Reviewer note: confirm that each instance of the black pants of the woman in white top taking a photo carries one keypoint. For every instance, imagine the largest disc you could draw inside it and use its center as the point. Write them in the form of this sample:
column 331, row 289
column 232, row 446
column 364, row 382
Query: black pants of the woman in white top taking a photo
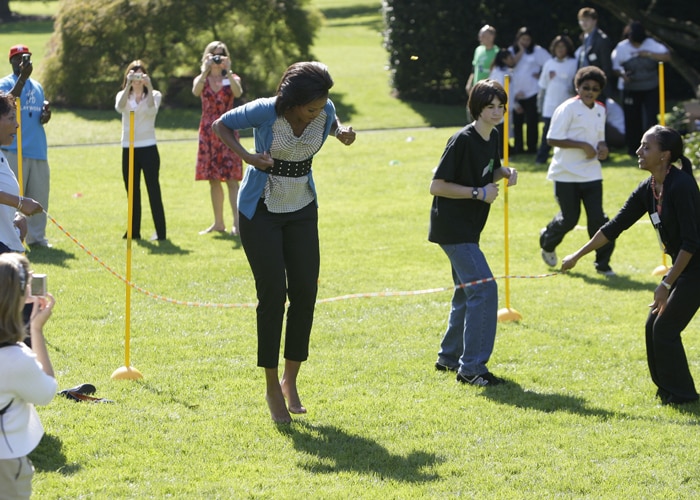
column 146, row 160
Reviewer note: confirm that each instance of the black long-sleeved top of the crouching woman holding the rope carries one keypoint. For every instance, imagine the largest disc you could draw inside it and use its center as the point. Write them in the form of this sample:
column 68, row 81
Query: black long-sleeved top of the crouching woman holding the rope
column 680, row 214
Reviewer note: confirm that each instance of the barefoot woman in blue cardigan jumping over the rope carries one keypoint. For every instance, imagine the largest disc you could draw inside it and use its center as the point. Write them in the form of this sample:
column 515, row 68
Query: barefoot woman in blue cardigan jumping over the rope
column 279, row 217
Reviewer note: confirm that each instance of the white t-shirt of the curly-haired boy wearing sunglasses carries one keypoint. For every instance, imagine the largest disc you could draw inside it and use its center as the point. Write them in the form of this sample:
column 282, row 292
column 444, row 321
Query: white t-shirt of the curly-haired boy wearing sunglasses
column 575, row 121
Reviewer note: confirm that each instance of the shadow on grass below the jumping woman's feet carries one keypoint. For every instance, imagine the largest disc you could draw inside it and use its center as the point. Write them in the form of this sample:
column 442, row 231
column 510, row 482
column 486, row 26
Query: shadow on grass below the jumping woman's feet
column 337, row 451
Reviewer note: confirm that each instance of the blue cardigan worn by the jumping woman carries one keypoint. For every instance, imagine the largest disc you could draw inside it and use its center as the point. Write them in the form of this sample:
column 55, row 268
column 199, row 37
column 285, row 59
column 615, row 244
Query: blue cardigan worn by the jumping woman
column 260, row 115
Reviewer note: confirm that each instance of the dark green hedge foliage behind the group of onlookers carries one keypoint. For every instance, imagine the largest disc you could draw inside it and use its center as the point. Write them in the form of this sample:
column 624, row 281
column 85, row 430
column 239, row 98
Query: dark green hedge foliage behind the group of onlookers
column 431, row 44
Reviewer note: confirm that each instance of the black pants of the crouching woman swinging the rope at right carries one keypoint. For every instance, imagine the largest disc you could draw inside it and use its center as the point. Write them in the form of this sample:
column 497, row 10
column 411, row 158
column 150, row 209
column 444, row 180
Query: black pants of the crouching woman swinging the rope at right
column 665, row 354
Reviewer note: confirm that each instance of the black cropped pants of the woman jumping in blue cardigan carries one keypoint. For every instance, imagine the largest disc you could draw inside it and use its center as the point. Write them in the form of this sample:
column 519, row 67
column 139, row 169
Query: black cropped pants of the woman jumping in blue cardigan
column 283, row 253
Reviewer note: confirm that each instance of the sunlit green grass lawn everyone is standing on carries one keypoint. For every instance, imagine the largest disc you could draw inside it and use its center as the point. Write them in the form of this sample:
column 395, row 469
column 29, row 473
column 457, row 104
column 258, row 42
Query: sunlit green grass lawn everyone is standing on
column 578, row 418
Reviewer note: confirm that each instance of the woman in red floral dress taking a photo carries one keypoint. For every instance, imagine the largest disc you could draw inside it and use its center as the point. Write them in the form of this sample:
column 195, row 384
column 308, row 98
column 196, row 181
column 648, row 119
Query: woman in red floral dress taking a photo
column 217, row 86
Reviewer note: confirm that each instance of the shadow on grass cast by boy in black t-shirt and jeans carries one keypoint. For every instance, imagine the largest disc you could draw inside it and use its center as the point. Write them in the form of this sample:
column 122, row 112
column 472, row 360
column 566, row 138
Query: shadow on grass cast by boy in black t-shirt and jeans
column 514, row 395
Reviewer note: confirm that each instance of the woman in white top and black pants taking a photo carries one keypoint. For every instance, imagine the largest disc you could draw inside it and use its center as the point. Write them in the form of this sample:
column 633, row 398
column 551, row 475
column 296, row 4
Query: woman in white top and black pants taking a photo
column 138, row 95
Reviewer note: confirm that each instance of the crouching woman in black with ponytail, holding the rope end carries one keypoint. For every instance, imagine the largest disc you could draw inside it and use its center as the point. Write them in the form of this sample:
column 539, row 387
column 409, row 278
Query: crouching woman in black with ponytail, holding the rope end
column 671, row 198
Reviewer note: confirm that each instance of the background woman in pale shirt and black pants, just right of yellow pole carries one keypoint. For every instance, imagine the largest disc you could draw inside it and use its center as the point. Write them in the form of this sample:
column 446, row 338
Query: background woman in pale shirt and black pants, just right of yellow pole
column 529, row 59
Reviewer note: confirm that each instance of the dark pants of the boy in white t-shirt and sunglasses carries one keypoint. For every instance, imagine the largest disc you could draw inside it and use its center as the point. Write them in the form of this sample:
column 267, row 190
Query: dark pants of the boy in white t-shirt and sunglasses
column 569, row 195
